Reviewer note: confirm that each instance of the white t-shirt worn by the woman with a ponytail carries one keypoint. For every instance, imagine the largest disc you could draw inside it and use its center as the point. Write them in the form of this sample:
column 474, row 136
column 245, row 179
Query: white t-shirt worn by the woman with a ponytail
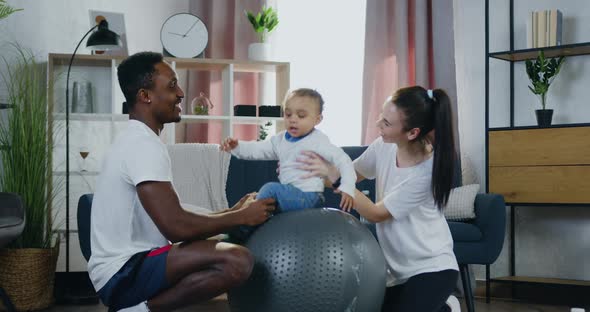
column 417, row 239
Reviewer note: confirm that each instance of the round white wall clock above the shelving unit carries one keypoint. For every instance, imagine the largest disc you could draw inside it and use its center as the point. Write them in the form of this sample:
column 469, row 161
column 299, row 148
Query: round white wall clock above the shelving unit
column 184, row 35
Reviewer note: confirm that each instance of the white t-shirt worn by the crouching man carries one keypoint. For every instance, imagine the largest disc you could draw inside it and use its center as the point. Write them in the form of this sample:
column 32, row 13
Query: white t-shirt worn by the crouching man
column 119, row 226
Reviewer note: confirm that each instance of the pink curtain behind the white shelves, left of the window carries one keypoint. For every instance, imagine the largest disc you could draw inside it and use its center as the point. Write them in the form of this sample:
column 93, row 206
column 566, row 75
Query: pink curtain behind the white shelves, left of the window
column 229, row 36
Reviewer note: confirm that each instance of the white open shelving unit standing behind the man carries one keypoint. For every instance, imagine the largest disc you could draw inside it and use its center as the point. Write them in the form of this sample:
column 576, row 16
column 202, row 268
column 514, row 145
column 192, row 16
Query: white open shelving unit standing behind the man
column 96, row 131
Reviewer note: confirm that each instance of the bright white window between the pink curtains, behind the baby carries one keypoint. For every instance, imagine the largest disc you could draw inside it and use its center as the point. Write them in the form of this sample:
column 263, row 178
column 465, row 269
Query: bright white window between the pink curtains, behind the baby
column 326, row 52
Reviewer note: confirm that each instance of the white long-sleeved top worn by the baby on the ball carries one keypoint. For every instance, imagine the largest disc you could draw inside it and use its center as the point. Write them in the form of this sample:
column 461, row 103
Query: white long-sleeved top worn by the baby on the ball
column 287, row 152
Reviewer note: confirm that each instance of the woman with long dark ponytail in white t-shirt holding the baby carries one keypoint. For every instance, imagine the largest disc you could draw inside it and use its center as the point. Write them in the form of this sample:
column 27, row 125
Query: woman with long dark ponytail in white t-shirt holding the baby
column 412, row 164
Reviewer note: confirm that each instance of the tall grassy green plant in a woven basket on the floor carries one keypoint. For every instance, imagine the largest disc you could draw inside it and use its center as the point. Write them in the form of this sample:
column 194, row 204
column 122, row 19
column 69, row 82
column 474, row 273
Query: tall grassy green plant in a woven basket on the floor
column 27, row 266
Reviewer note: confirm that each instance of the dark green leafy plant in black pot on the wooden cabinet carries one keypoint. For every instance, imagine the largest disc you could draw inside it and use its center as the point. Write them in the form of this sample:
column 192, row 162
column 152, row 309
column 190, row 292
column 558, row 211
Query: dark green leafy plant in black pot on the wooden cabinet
column 542, row 71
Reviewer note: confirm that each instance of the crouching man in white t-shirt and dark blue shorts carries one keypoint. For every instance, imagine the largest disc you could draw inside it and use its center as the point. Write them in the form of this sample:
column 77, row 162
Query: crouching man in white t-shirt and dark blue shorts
column 148, row 254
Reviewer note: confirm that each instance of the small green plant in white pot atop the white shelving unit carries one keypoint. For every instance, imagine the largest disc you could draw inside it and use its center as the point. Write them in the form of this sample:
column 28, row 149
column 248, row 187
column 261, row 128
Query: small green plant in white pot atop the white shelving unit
column 263, row 23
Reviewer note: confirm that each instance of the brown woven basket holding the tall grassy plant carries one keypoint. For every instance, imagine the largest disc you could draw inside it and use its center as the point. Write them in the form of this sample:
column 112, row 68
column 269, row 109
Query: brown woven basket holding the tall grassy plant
column 27, row 276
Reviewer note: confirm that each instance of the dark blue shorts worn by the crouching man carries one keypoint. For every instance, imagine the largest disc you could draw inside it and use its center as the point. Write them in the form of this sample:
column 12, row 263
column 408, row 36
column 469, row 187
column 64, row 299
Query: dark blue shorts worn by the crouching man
column 141, row 278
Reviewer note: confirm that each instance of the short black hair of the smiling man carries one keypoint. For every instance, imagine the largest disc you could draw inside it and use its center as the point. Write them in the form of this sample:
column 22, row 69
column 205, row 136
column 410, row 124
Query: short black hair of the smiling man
column 136, row 72
